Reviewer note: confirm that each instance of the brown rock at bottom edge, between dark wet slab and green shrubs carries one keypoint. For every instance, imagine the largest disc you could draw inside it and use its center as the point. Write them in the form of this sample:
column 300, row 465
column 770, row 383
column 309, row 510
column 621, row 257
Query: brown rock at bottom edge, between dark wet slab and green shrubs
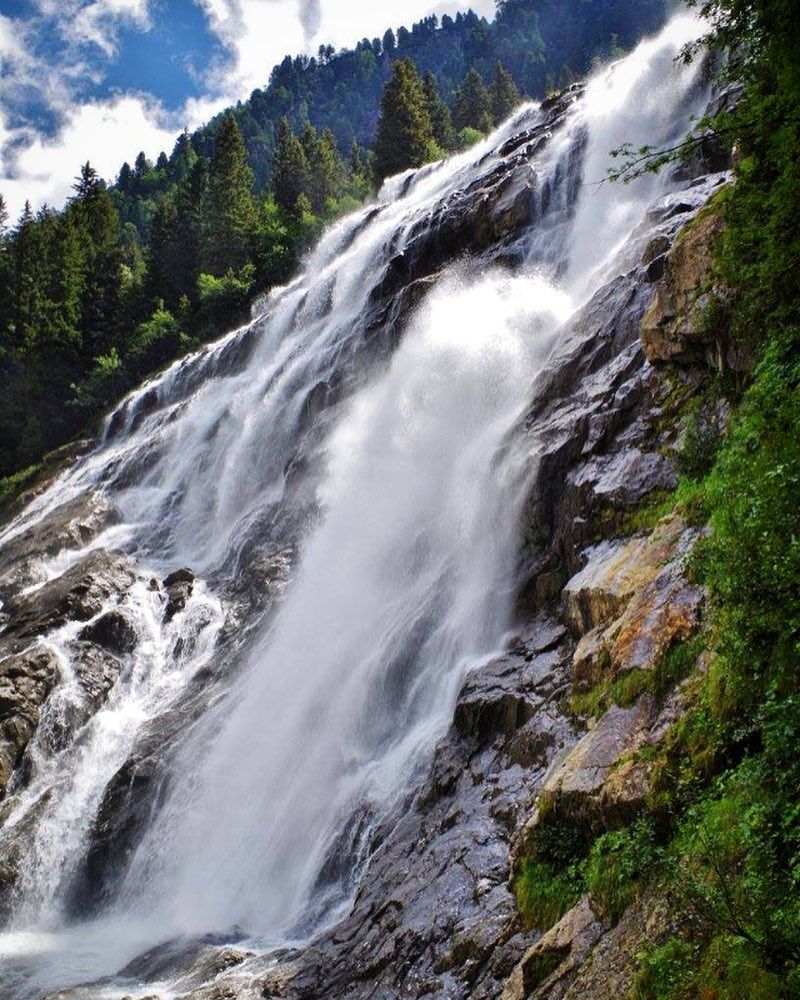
column 547, row 968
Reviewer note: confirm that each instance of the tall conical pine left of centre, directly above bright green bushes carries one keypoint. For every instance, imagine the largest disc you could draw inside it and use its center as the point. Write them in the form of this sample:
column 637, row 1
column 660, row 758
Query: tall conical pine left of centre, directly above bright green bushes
column 229, row 212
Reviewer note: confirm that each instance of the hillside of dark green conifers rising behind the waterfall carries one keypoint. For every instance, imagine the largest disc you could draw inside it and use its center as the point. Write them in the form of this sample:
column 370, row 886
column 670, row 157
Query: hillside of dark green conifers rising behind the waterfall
column 132, row 274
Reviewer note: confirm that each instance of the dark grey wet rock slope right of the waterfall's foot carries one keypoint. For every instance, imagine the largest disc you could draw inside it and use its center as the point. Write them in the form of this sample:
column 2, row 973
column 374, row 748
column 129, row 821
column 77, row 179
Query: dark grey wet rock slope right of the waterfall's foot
column 434, row 915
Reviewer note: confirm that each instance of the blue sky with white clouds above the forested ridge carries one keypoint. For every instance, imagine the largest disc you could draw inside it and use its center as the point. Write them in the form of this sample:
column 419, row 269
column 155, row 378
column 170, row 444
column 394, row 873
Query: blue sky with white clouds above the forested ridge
column 100, row 80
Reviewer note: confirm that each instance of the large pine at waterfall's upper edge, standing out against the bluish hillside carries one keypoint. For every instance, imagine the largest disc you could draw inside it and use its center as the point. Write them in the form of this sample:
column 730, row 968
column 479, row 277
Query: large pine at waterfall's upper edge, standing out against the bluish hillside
column 405, row 131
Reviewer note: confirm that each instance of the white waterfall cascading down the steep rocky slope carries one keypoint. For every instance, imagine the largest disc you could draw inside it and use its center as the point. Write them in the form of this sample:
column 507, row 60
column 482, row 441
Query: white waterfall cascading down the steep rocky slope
column 395, row 471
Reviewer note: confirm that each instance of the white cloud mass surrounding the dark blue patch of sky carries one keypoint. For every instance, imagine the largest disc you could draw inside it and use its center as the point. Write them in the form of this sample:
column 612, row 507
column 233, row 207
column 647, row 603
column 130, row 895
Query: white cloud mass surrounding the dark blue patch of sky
column 256, row 34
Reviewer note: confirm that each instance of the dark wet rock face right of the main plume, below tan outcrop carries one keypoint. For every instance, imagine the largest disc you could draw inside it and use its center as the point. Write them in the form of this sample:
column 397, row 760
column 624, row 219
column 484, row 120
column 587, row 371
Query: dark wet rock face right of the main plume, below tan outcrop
column 596, row 434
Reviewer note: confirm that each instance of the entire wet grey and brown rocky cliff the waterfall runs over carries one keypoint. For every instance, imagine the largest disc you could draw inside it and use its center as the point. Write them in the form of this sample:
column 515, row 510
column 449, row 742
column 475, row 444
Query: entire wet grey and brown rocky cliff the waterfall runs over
column 557, row 734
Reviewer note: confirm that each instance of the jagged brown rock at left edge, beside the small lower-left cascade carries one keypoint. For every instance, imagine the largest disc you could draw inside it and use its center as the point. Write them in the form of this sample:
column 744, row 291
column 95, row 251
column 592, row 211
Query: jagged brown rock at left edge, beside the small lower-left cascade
column 26, row 680
